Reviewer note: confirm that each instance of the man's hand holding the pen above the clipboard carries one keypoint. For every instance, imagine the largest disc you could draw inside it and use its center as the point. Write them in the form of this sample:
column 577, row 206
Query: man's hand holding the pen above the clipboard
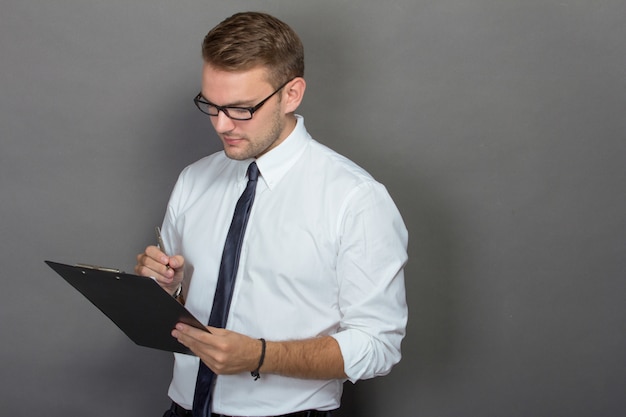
column 167, row 270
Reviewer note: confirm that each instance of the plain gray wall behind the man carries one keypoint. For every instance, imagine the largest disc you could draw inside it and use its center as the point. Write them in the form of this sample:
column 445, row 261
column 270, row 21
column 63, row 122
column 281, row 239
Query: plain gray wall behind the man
column 497, row 125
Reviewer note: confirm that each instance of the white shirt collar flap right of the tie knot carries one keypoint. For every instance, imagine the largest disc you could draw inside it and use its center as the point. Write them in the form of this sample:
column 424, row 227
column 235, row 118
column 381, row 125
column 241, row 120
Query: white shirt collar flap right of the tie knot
column 276, row 163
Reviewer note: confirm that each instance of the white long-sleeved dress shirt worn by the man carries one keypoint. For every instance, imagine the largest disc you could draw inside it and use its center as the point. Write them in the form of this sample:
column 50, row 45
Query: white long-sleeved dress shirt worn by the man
column 323, row 254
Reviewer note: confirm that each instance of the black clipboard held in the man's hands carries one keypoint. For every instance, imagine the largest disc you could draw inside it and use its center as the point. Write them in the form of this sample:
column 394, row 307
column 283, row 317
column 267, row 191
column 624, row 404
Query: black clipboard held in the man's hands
column 136, row 304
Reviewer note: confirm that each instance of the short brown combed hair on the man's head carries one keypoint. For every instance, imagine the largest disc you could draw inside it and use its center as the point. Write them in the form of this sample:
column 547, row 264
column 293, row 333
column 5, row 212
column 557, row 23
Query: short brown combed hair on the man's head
column 252, row 39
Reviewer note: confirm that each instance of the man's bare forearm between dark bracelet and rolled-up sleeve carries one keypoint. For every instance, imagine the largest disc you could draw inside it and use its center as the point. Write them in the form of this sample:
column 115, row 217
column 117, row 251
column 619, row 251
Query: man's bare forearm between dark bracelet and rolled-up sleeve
column 318, row 358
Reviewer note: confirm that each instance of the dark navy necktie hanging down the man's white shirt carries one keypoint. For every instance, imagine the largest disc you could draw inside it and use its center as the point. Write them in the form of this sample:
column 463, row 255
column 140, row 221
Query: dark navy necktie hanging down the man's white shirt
column 225, row 285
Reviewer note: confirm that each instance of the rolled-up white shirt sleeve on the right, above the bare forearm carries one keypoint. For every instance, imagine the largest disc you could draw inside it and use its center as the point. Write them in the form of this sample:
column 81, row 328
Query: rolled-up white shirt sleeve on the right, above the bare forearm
column 370, row 270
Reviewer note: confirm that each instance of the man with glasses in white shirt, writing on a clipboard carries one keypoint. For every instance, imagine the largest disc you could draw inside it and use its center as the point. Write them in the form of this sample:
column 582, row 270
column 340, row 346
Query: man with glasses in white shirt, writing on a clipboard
column 319, row 291
